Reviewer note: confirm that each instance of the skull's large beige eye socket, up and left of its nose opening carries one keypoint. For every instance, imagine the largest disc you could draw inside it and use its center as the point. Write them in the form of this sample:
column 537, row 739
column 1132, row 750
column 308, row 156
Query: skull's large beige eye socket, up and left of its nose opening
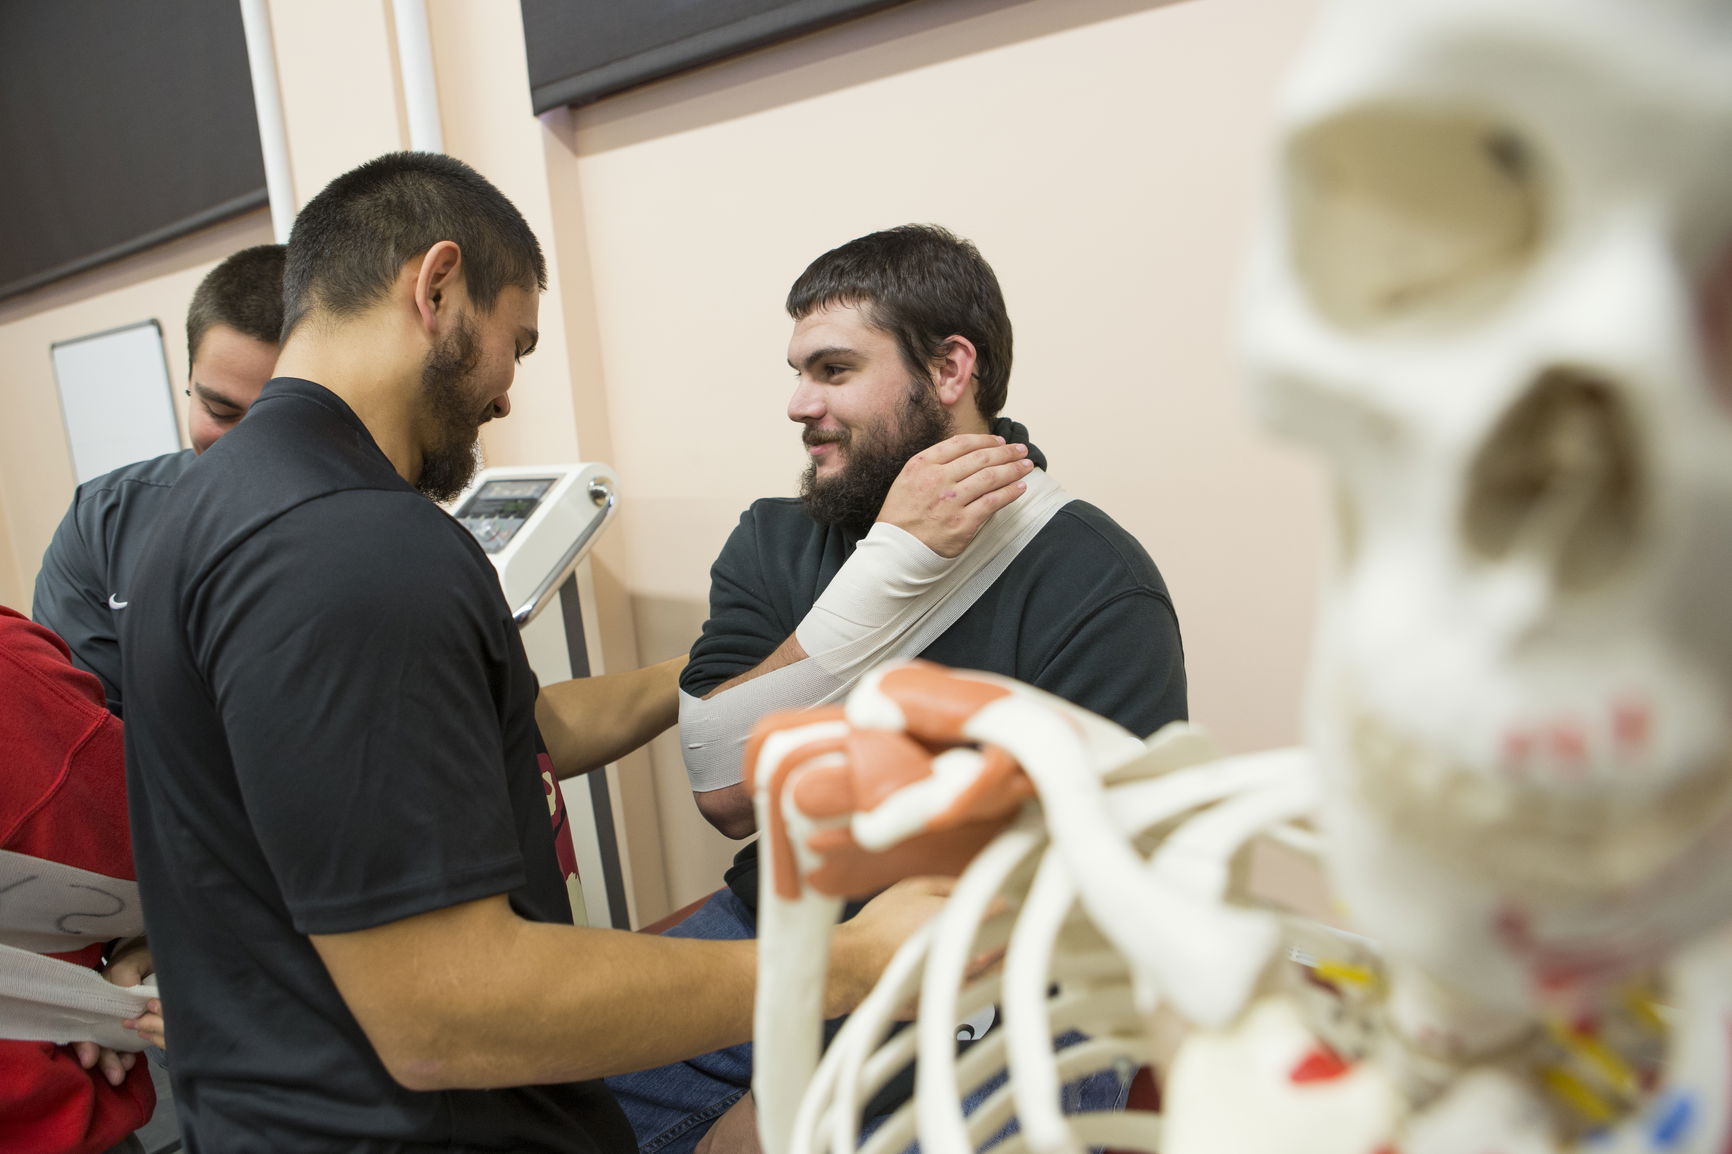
column 1412, row 216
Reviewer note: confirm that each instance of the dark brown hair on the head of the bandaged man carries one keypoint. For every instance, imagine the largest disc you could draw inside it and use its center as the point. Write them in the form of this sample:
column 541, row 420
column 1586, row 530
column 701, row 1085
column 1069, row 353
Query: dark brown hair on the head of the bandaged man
column 922, row 285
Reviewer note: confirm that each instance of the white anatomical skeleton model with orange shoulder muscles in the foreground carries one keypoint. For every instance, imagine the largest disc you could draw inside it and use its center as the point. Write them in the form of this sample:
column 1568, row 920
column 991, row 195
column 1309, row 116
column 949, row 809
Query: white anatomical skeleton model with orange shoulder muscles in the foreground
column 1496, row 290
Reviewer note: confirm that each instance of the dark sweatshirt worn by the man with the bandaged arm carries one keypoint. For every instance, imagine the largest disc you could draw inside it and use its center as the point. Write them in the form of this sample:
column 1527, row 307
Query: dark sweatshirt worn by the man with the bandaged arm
column 1082, row 613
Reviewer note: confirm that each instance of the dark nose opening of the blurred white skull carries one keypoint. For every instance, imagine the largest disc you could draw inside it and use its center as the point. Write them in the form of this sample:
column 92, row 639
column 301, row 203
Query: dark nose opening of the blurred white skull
column 1560, row 483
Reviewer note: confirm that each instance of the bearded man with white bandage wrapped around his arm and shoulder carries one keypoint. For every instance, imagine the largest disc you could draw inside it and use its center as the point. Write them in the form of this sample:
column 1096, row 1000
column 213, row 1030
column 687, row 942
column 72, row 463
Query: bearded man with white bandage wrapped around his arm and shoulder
column 902, row 351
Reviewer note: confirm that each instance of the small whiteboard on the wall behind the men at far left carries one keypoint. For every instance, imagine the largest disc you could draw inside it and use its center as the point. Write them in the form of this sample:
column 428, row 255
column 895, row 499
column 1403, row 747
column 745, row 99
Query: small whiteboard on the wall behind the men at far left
column 117, row 399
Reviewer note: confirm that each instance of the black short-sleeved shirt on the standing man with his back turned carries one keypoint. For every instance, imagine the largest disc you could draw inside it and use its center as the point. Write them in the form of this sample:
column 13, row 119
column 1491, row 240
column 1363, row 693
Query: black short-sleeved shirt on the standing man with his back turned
column 330, row 729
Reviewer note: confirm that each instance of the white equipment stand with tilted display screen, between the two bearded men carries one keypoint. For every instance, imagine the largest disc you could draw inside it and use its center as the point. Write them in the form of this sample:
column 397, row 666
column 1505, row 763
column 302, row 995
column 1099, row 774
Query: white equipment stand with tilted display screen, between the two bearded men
column 538, row 526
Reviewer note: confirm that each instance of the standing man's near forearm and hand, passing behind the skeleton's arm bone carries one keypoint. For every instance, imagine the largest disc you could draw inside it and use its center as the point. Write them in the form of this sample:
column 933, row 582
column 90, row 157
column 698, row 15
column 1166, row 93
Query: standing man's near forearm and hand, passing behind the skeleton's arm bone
column 474, row 997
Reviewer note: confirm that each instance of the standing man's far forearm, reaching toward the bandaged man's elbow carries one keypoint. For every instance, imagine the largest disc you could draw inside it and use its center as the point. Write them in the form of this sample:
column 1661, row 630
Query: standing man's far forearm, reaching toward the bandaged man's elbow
column 590, row 722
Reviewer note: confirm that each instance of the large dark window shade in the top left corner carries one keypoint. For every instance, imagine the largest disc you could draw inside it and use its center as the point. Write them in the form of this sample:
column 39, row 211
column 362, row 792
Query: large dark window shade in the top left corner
column 122, row 126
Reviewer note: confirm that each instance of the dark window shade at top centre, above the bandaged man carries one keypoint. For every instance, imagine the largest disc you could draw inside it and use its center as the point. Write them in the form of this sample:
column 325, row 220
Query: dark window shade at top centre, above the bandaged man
column 581, row 51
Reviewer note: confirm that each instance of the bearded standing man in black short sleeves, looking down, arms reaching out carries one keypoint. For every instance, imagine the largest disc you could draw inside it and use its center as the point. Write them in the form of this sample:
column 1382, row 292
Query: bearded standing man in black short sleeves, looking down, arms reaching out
column 346, row 841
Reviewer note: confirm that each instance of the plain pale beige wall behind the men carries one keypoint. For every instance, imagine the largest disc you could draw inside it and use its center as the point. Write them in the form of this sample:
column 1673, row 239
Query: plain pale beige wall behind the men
column 1102, row 153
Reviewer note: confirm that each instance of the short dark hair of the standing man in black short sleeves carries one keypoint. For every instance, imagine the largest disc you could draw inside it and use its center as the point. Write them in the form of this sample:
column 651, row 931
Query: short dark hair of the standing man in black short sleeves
column 354, row 238
